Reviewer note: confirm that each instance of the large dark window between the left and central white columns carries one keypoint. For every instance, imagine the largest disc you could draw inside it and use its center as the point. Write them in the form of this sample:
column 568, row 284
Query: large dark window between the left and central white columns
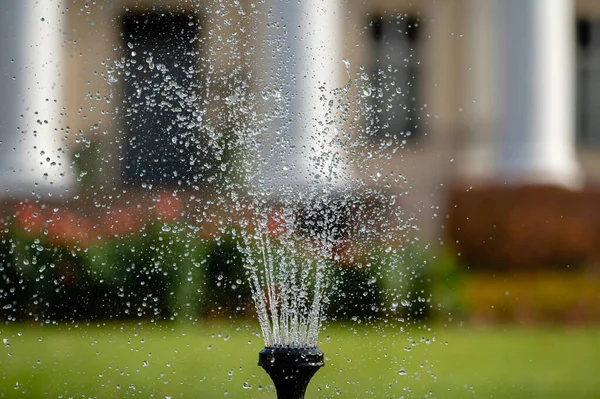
column 162, row 101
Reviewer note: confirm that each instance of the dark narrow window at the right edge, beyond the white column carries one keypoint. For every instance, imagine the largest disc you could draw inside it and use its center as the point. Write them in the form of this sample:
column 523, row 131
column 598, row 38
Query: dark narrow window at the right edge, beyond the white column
column 588, row 82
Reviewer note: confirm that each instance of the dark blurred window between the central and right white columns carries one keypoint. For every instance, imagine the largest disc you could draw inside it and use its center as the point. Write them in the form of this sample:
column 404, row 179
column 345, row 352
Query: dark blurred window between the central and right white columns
column 395, row 75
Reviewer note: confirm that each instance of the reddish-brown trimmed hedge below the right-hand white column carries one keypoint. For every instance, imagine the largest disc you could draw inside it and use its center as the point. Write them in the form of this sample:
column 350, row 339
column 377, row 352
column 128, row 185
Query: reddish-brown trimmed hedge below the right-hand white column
column 501, row 228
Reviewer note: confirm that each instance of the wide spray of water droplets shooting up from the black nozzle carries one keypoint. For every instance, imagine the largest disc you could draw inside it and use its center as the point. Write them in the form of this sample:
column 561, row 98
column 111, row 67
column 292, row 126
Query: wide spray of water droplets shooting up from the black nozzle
column 301, row 176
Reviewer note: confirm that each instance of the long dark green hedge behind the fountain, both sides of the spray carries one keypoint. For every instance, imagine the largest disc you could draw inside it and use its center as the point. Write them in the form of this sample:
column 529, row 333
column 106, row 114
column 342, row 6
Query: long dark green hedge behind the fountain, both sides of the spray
column 165, row 270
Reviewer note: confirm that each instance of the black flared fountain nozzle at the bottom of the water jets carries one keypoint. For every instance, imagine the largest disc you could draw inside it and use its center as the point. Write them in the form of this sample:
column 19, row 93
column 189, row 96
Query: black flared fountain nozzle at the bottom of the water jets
column 290, row 369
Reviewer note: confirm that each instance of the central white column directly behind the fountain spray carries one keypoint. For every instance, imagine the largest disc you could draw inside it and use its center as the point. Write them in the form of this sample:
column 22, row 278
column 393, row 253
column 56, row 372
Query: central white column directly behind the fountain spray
column 306, row 64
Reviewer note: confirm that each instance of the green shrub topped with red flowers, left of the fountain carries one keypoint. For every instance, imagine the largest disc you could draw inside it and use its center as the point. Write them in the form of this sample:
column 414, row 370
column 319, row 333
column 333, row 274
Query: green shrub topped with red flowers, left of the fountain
column 59, row 265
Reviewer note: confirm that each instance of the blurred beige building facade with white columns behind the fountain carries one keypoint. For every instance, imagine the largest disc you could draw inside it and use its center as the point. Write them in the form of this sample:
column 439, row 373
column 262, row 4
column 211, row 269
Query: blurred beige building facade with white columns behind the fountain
column 500, row 93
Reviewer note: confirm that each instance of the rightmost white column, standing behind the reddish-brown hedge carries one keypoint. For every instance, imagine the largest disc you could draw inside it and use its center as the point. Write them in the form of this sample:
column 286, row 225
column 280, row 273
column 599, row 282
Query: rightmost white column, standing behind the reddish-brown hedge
column 537, row 139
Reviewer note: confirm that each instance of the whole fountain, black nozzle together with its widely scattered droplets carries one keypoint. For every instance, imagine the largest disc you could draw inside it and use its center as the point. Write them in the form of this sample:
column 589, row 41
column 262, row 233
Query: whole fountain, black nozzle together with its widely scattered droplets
column 298, row 177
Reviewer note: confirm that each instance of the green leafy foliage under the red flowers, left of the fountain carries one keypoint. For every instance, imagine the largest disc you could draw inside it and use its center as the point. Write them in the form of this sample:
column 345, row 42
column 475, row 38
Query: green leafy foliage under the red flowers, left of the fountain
column 156, row 272
